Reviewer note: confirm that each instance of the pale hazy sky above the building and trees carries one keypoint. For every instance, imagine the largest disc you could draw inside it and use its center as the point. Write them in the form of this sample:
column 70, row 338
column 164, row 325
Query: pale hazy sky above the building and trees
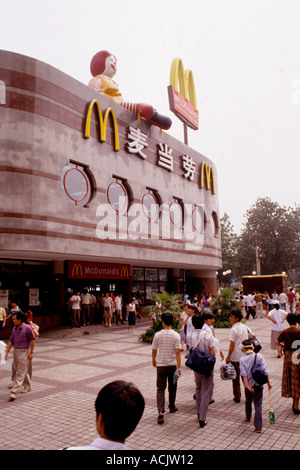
column 245, row 58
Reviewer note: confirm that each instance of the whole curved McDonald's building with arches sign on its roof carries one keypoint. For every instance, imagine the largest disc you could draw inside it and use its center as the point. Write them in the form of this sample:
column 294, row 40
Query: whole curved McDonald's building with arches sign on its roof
column 94, row 197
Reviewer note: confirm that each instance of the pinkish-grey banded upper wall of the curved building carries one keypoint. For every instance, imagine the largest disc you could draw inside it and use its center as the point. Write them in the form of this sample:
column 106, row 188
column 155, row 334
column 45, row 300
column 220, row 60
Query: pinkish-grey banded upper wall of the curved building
column 42, row 120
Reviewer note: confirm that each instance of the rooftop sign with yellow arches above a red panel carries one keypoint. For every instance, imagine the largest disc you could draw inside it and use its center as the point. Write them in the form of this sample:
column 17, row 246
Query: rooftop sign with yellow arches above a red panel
column 182, row 95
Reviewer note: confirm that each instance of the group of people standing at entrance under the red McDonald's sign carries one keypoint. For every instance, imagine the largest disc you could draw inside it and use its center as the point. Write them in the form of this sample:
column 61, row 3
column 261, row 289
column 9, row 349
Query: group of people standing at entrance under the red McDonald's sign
column 105, row 308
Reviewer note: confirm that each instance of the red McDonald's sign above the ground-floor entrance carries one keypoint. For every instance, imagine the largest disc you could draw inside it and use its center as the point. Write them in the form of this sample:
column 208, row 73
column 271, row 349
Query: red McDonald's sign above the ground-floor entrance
column 85, row 270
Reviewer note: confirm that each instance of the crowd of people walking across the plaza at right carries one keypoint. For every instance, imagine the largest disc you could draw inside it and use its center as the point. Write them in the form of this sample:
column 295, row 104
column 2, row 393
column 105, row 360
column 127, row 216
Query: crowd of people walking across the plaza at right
column 198, row 331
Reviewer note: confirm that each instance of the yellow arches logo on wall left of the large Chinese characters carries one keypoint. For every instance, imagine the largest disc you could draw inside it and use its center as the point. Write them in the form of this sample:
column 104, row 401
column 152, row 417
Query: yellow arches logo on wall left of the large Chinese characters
column 102, row 123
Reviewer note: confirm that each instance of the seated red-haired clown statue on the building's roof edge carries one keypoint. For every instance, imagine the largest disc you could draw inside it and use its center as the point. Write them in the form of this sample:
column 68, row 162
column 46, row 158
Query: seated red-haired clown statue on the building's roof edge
column 103, row 69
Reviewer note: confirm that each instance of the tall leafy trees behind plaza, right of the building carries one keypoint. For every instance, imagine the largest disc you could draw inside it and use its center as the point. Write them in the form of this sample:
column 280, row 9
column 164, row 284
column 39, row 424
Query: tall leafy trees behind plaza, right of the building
column 271, row 232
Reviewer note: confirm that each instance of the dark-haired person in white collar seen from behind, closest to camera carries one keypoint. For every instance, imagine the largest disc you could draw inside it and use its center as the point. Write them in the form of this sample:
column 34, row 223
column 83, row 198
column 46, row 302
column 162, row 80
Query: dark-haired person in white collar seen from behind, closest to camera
column 119, row 408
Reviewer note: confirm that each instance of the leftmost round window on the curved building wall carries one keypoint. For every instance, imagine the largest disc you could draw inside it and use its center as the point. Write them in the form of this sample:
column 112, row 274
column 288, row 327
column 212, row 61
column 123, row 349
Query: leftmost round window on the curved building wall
column 76, row 184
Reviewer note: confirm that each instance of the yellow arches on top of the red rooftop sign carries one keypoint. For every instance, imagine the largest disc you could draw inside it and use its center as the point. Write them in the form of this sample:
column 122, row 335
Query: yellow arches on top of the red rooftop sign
column 183, row 81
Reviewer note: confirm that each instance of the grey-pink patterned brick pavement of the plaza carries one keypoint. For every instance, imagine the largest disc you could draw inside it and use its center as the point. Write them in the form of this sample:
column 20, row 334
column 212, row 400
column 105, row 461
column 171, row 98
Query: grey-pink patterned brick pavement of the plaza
column 70, row 366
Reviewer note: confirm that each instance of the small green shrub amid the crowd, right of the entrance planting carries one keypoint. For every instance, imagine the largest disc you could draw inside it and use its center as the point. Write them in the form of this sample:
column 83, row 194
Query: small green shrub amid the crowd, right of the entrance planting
column 222, row 305
